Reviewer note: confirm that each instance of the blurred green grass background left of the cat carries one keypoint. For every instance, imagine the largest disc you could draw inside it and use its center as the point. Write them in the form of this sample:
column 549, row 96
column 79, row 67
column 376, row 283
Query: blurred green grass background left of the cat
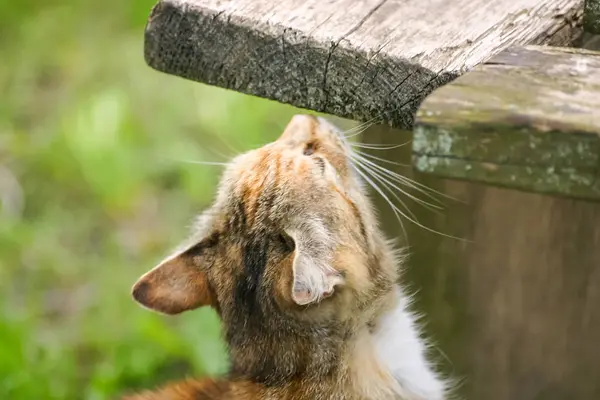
column 94, row 190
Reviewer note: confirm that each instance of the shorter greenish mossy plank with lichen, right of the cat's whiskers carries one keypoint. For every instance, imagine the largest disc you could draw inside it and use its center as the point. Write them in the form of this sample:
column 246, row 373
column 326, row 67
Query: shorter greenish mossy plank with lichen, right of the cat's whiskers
column 528, row 119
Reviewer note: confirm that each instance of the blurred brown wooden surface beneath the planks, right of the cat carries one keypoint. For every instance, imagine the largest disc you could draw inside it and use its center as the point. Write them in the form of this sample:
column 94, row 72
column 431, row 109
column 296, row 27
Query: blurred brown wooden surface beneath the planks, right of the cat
column 516, row 310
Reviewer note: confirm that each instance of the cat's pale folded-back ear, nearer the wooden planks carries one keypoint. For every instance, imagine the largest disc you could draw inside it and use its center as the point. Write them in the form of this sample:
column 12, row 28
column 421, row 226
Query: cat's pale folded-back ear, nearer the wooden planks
column 313, row 275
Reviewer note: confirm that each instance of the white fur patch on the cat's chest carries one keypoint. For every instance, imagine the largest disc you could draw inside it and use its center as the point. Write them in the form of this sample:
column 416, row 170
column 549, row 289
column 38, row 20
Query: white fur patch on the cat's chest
column 392, row 363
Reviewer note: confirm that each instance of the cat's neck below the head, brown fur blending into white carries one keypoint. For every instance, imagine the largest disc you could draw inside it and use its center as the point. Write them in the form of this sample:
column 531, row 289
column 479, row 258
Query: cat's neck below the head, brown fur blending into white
column 384, row 359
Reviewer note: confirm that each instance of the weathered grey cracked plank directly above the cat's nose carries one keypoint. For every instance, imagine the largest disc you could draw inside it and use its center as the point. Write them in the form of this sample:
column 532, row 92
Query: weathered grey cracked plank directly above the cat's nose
column 359, row 59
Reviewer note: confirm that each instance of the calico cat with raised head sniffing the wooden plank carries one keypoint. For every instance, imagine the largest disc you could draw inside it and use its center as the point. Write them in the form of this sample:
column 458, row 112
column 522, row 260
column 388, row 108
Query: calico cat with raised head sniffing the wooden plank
column 291, row 257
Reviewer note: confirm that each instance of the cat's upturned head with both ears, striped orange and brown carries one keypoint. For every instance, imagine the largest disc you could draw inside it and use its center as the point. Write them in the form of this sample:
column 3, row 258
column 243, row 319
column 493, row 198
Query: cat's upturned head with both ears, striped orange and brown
column 291, row 232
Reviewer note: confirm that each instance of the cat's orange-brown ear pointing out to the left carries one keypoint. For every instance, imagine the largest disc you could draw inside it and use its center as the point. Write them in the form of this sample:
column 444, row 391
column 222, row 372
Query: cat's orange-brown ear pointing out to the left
column 177, row 284
